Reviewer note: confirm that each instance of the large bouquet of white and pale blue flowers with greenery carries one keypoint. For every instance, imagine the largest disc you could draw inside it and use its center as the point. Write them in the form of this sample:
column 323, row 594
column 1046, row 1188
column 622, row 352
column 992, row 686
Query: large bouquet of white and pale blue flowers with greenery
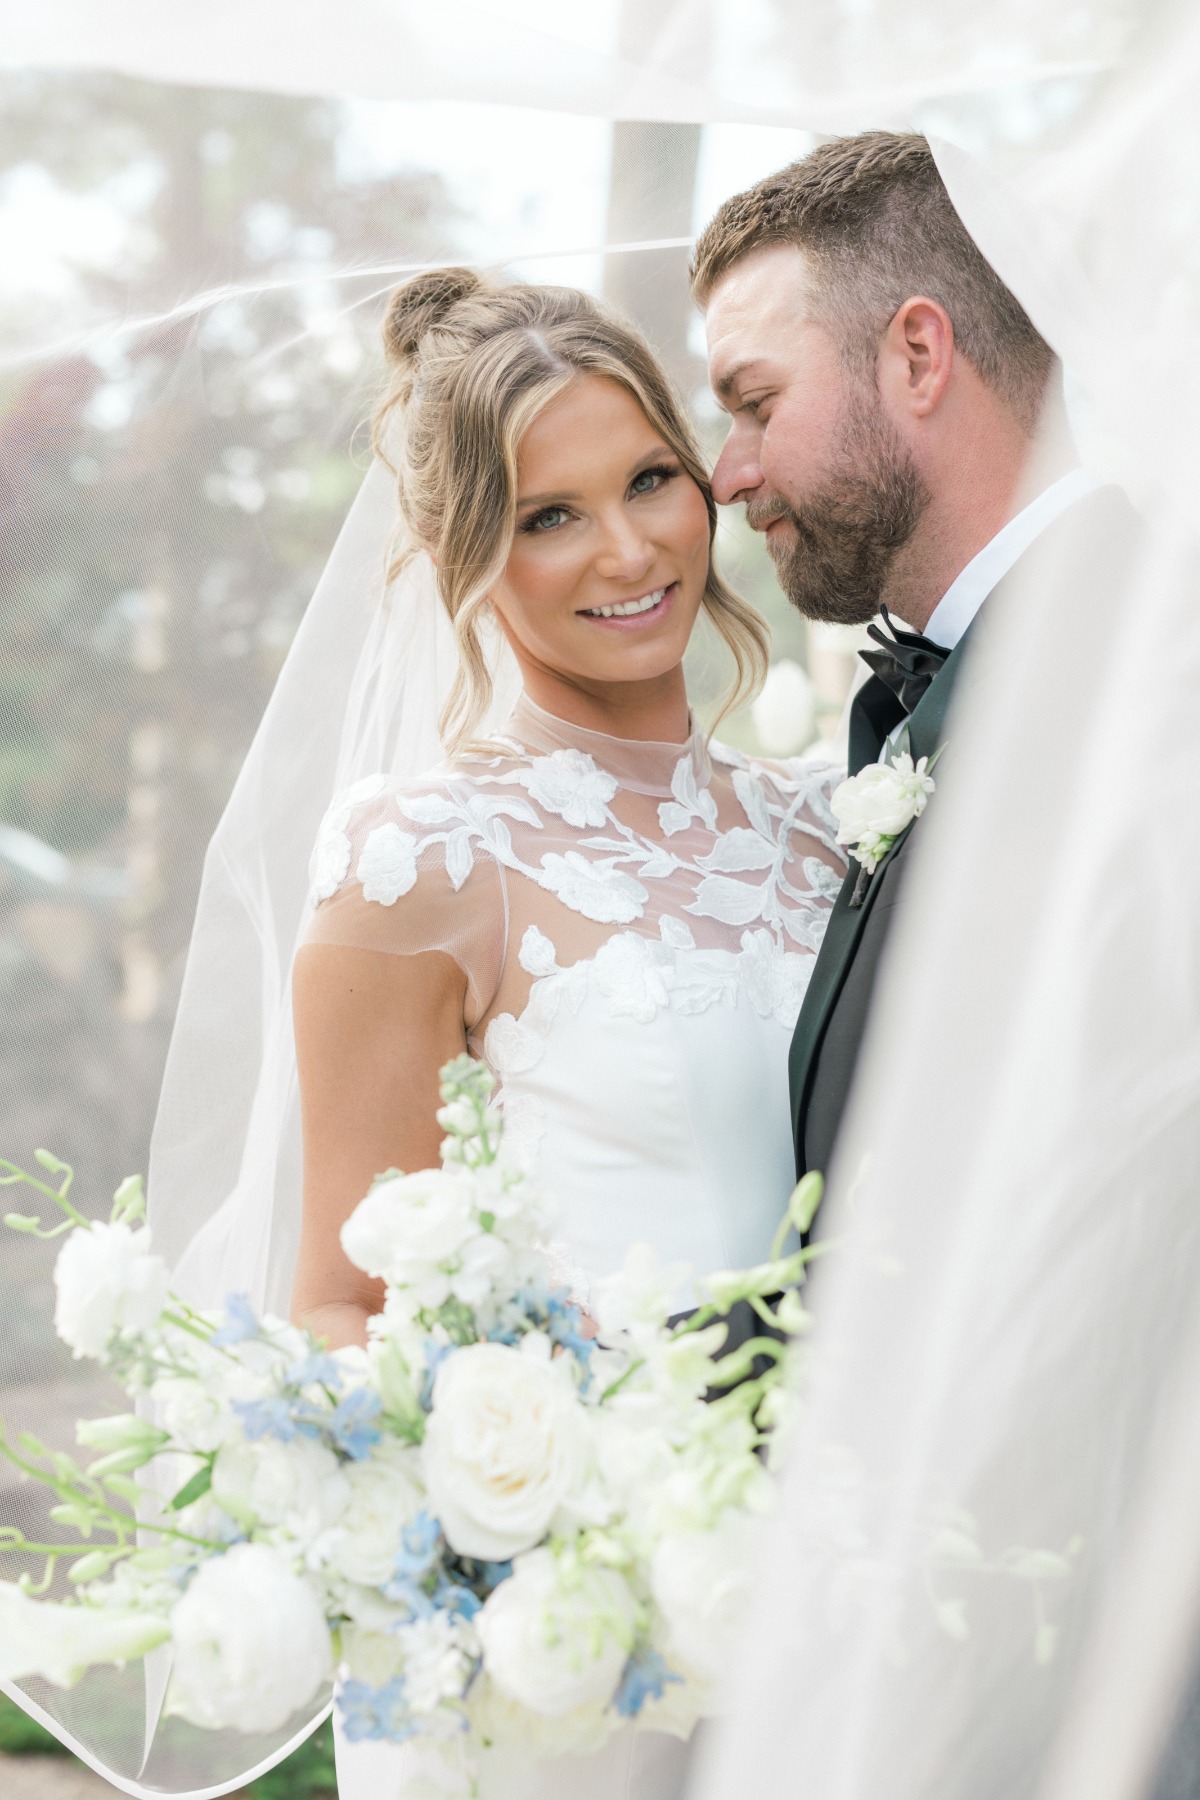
column 487, row 1527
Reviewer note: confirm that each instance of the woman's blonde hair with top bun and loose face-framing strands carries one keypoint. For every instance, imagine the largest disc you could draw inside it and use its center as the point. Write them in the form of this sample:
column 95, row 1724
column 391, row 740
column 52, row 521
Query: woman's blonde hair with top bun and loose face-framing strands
column 472, row 368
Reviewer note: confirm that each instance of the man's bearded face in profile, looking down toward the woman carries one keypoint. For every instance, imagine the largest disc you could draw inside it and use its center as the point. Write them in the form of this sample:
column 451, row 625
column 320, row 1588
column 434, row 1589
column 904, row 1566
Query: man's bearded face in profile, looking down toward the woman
column 812, row 453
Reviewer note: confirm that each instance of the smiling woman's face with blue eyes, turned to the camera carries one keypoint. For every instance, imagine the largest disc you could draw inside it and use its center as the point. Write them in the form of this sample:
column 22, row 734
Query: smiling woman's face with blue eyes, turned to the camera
column 611, row 553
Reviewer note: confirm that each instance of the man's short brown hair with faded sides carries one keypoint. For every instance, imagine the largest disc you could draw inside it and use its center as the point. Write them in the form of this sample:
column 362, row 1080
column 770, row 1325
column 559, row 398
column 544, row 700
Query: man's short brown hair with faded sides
column 877, row 222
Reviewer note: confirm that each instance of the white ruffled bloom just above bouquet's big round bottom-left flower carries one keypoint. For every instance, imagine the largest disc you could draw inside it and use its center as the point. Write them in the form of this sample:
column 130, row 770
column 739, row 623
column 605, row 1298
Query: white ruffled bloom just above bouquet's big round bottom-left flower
column 300, row 1488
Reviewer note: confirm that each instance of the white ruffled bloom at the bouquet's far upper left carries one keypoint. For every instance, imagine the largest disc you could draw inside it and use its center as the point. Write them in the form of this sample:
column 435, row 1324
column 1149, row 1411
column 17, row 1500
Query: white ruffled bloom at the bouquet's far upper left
column 107, row 1282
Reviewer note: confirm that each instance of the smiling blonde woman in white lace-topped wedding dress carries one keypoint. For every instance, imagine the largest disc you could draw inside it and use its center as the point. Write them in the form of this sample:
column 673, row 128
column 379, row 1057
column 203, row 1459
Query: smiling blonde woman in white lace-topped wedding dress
column 609, row 908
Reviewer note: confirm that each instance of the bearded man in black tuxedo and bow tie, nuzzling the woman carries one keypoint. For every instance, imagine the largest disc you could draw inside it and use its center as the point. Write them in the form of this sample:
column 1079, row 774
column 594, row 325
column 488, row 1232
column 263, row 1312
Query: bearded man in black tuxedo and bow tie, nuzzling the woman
column 899, row 435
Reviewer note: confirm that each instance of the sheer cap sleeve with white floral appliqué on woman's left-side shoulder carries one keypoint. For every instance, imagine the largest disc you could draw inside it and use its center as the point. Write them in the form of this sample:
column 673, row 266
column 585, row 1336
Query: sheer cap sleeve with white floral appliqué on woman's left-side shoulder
column 407, row 870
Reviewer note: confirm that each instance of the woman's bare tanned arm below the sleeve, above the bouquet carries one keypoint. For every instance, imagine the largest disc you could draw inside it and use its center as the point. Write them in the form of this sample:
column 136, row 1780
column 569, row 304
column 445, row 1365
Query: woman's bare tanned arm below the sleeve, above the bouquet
column 372, row 1034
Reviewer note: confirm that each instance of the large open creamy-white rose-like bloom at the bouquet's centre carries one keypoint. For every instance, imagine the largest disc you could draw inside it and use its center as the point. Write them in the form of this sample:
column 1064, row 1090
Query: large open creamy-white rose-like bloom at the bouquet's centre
column 503, row 1448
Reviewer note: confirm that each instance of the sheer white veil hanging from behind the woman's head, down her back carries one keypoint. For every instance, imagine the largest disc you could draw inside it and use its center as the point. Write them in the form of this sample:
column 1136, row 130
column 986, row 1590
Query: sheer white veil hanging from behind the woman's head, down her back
column 361, row 694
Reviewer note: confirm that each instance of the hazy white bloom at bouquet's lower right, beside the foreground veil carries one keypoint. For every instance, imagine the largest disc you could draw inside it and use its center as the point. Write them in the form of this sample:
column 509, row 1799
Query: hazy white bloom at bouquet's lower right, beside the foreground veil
column 701, row 1585
